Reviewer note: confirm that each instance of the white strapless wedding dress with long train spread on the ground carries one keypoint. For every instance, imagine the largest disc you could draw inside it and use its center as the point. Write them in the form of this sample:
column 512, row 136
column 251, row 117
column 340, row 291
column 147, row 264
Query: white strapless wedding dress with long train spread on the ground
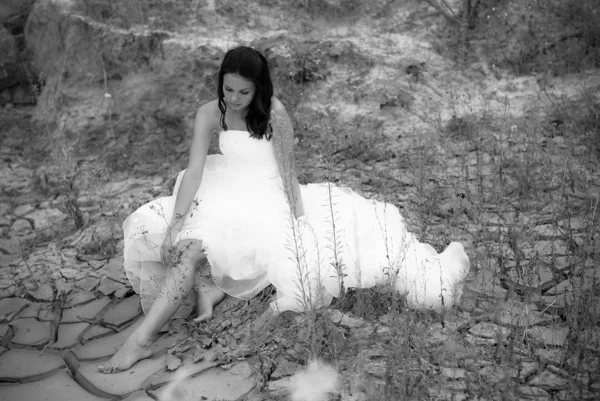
column 251, row 239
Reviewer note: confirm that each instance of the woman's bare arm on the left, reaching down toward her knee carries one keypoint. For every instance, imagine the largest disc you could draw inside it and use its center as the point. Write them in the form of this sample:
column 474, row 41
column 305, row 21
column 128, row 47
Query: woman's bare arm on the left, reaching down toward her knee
column 192, row 177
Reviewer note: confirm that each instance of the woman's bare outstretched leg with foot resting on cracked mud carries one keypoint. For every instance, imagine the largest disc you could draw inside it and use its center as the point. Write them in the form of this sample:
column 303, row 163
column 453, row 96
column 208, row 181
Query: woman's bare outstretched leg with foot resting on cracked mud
column 179, row 280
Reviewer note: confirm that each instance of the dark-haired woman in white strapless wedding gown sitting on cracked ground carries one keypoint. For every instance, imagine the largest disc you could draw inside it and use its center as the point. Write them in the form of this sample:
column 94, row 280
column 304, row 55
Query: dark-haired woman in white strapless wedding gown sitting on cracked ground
column 244, row 213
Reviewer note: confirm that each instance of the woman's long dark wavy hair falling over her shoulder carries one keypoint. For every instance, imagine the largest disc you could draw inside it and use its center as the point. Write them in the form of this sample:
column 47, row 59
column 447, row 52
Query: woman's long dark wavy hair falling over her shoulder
column 252, row 65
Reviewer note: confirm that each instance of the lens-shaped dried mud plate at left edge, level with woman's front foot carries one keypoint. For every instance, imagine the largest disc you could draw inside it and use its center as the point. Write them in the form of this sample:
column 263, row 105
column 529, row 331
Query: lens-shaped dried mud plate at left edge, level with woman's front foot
column 28, row 365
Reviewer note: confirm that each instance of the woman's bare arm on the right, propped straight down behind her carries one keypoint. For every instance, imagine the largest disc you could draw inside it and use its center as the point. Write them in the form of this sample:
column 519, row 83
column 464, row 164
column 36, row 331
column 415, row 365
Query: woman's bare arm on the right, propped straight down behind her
column 283, row 145
